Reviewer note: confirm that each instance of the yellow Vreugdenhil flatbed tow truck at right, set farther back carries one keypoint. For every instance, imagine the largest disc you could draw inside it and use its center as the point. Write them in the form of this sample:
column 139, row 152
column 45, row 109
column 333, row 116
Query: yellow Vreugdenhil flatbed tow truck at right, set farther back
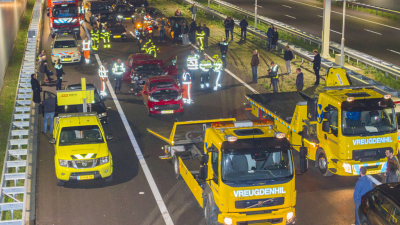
column 343, row 129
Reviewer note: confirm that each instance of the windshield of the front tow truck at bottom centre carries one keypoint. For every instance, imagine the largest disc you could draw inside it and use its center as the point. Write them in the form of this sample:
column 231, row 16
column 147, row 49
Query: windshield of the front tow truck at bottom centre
column 250, row 165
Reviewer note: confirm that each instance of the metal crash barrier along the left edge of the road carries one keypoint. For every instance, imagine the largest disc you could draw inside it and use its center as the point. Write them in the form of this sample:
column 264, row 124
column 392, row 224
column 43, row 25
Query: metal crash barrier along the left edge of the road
column 14, row 182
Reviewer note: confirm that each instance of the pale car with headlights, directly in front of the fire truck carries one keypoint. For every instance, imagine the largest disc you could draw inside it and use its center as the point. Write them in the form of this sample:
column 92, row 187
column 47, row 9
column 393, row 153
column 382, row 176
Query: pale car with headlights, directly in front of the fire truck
column 66, row 48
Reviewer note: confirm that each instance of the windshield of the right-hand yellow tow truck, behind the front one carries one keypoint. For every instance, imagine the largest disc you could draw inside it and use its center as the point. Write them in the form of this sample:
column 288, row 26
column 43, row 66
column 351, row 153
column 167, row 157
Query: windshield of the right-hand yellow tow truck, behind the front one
column 369, row 122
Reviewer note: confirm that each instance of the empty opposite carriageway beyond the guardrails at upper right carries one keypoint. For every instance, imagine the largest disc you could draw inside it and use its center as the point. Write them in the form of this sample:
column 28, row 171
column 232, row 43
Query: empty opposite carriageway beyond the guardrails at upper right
column 367, row 33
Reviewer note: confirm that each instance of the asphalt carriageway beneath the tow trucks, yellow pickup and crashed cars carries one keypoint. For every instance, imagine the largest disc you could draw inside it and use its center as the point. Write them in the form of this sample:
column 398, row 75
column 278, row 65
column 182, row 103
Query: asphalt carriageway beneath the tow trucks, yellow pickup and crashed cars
column 128, row 199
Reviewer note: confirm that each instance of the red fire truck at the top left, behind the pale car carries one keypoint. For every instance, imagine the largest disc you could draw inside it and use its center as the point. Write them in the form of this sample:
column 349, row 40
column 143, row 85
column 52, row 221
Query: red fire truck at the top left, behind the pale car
column 64, row 17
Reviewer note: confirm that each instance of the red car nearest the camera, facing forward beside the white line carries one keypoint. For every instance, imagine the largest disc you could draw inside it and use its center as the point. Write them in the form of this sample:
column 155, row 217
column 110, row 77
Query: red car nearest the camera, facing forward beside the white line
column 161, row 95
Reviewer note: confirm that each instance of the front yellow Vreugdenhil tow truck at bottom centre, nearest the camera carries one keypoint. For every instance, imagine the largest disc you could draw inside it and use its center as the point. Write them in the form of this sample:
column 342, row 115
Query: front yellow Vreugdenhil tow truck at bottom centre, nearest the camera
column 240, row 172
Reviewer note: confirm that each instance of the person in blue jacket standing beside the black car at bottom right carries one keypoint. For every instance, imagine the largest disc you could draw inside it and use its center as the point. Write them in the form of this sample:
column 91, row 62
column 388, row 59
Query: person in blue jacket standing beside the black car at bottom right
column 363, row 185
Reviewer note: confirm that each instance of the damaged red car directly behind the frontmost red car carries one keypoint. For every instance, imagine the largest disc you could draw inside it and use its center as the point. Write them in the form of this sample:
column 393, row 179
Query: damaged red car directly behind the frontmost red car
column 139, row 59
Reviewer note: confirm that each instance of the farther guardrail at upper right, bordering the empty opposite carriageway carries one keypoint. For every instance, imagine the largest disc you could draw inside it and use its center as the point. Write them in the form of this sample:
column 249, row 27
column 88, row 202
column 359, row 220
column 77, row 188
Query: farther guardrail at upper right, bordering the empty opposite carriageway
column 368, row 60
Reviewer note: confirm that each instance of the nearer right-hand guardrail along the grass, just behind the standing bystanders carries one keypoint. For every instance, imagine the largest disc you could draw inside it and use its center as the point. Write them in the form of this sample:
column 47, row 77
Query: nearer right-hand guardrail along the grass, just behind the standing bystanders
column 304, row 54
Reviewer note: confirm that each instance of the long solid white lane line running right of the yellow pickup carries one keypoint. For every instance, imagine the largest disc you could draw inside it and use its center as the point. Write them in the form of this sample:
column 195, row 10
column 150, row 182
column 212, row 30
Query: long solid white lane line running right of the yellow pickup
column 160, row 202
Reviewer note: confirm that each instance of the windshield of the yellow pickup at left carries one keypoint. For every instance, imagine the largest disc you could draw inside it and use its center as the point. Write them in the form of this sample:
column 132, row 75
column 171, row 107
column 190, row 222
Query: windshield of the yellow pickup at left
column 80, row 135
